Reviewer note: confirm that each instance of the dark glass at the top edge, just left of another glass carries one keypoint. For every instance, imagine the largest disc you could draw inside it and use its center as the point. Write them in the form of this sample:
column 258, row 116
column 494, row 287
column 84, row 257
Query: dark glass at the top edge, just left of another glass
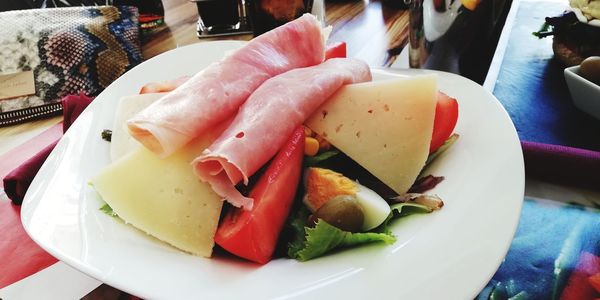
column 222, row 17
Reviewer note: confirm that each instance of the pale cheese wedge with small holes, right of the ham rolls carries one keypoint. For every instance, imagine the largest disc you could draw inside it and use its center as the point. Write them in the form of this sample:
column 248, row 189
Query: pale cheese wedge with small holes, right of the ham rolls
column 385, row 126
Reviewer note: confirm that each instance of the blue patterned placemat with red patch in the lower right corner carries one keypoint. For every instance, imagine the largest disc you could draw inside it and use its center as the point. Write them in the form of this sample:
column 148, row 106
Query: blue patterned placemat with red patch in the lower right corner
column 555, row 255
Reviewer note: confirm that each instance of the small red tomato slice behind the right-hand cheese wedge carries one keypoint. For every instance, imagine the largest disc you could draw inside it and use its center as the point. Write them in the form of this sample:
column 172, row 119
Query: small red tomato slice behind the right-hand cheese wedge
column 446, row 115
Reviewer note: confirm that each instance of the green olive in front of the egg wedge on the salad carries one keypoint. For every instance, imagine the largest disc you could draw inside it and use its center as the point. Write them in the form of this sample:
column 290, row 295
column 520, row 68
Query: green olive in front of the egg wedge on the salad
column 343, row 212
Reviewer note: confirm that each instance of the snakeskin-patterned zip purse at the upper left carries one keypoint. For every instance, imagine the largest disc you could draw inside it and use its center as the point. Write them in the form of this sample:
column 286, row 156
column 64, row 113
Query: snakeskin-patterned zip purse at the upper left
column 70, row 51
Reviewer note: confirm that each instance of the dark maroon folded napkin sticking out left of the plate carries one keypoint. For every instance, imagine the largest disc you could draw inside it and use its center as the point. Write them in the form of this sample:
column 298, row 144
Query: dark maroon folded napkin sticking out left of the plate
column 17, row 182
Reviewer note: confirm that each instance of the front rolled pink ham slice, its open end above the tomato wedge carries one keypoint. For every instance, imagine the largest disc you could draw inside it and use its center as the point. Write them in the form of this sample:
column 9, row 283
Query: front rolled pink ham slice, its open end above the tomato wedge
column 267, row 119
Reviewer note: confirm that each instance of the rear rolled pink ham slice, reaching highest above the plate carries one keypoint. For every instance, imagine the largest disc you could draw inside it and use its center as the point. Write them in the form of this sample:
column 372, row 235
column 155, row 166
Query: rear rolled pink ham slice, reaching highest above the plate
column 216, row 93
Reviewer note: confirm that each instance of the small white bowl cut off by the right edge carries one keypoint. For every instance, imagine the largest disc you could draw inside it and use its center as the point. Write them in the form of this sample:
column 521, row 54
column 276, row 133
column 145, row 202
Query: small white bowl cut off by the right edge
column 585, row 94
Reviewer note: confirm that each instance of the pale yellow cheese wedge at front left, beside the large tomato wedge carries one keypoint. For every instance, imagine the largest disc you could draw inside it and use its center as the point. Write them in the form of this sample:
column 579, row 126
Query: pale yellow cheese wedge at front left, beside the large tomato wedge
column 163, row 197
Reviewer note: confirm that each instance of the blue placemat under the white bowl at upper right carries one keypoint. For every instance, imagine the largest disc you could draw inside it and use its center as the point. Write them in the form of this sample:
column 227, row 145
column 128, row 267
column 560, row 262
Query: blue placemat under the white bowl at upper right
column 532, row 88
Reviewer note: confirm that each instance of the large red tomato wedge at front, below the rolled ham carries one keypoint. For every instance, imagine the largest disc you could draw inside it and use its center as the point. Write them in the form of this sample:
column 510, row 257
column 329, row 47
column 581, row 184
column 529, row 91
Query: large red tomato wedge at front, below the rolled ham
column 253, row 234
